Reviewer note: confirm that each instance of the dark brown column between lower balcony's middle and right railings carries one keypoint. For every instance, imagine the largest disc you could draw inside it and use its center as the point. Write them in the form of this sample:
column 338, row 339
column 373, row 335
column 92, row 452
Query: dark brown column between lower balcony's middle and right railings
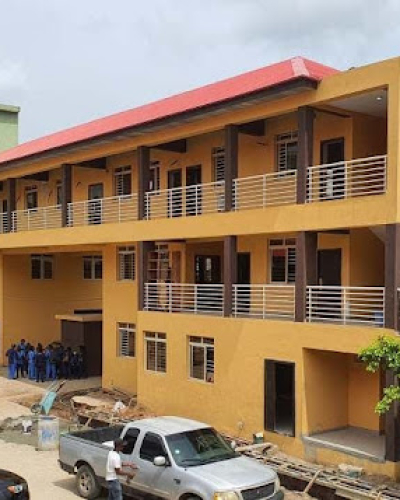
column 306, row 270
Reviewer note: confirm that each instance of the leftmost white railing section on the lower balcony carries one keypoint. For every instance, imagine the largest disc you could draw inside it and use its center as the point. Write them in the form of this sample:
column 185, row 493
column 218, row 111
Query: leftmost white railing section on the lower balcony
column 184, row 298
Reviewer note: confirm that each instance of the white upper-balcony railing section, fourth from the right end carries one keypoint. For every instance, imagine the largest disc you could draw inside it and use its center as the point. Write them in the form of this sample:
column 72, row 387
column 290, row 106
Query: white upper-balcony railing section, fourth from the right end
column 103, row 210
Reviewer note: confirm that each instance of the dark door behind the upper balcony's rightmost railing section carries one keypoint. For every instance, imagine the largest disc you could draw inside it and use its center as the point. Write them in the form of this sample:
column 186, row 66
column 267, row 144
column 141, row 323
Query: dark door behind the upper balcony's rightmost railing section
column 332, row 176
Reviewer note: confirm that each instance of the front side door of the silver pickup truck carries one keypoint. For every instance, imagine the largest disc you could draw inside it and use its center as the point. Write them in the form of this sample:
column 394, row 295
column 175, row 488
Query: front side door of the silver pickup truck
column 157, row 481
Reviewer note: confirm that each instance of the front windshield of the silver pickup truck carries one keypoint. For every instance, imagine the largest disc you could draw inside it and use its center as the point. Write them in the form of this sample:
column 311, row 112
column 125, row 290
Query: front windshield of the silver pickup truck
column 200, row 447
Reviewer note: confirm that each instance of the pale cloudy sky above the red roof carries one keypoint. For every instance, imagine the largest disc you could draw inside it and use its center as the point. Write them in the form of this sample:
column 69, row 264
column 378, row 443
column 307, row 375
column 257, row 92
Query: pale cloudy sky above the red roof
column 66, row 62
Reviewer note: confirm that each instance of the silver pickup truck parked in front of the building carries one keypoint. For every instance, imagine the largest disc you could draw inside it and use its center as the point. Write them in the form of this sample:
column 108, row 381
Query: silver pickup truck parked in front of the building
column 177, row 459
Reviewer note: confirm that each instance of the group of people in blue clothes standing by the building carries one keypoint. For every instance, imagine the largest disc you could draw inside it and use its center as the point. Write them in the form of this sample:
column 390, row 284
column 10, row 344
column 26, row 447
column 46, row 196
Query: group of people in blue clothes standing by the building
column 49, row 363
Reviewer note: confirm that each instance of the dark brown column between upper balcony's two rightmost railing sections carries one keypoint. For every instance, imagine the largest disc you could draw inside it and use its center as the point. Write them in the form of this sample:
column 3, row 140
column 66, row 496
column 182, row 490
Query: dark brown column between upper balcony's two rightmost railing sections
column 305, row 149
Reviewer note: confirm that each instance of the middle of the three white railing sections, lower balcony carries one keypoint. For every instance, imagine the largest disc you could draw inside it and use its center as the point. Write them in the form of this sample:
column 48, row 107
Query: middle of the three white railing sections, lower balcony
column 264, row 301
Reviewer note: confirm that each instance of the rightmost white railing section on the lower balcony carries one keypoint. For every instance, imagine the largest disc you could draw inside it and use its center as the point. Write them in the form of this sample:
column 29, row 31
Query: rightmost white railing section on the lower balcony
column 346, row 305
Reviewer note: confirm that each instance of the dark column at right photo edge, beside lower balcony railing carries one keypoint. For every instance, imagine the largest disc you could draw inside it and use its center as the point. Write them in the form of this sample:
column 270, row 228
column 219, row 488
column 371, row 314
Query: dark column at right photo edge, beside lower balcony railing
column 392, row 276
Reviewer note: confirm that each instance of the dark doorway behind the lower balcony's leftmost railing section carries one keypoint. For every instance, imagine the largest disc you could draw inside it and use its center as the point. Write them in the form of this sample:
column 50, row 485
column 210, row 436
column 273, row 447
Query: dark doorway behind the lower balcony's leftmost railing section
column 208, row 272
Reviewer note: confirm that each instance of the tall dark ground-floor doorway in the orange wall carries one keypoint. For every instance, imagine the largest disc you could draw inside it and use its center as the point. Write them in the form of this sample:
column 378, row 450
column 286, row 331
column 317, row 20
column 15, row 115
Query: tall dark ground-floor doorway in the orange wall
column 280, row 397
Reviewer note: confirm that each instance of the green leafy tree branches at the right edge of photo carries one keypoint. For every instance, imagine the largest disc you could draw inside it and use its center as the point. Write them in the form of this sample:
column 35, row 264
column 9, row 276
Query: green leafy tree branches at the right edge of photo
column 384, row 353
